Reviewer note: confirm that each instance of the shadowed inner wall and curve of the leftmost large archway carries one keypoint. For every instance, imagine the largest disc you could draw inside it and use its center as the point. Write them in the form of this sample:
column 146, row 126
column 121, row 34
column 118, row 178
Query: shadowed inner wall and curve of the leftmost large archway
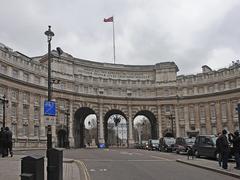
column 79, row 127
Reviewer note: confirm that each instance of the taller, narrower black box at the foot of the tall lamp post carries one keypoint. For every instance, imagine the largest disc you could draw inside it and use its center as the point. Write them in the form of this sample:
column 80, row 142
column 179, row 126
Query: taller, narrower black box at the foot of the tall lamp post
column 55, row 164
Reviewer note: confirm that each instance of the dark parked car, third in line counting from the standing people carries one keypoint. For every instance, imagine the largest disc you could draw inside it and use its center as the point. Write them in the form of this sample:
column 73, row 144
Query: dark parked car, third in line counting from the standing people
column 166, row 144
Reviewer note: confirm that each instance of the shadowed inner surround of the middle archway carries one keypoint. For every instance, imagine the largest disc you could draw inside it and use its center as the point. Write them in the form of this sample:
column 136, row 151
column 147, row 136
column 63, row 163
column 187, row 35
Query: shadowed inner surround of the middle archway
column 105, row 123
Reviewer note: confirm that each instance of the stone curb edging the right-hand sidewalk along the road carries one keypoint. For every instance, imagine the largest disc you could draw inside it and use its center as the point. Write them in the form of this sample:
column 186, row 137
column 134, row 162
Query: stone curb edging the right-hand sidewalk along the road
column 210, row 169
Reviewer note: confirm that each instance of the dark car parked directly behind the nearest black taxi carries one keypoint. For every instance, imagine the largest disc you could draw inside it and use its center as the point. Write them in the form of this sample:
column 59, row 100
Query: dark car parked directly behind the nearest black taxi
column 183, row 144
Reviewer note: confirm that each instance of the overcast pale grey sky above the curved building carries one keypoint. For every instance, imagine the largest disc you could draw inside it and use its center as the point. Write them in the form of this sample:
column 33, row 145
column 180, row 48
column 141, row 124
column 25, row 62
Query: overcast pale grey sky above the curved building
column 191, row 33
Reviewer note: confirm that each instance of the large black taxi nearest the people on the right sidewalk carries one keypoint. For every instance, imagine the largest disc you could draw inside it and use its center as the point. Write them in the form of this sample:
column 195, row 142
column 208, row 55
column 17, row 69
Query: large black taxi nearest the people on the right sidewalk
column 205, row 145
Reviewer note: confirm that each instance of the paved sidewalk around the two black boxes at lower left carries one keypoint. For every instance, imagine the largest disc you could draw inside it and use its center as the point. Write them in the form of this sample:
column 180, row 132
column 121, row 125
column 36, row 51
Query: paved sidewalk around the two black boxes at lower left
column 10, row 168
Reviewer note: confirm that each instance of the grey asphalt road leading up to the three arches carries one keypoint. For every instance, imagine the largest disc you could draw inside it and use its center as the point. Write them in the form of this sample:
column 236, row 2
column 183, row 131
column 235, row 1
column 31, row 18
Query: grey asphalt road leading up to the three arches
column 132, row 164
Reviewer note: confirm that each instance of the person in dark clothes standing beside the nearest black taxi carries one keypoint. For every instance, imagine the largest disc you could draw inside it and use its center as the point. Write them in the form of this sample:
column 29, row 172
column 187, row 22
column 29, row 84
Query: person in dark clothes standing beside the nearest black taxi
column 224, row 148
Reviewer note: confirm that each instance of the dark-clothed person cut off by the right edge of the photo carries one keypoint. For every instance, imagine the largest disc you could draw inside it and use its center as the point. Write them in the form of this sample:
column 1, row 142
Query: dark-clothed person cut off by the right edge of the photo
column 235, row 140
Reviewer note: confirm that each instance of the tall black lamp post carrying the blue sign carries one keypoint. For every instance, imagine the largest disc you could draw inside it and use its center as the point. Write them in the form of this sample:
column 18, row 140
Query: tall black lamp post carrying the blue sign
column 49, row 35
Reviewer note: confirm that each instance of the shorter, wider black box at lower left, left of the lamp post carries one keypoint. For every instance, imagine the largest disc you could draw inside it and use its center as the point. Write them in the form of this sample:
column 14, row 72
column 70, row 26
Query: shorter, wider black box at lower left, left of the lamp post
column 32, row 168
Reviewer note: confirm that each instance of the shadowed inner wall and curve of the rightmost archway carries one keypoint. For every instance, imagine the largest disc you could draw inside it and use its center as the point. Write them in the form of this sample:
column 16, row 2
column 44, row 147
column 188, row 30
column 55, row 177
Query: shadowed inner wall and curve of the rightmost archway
column 153, row 121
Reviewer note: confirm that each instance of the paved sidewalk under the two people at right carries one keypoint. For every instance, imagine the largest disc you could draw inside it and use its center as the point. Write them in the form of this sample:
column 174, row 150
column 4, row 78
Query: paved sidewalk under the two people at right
column 212, row 166
